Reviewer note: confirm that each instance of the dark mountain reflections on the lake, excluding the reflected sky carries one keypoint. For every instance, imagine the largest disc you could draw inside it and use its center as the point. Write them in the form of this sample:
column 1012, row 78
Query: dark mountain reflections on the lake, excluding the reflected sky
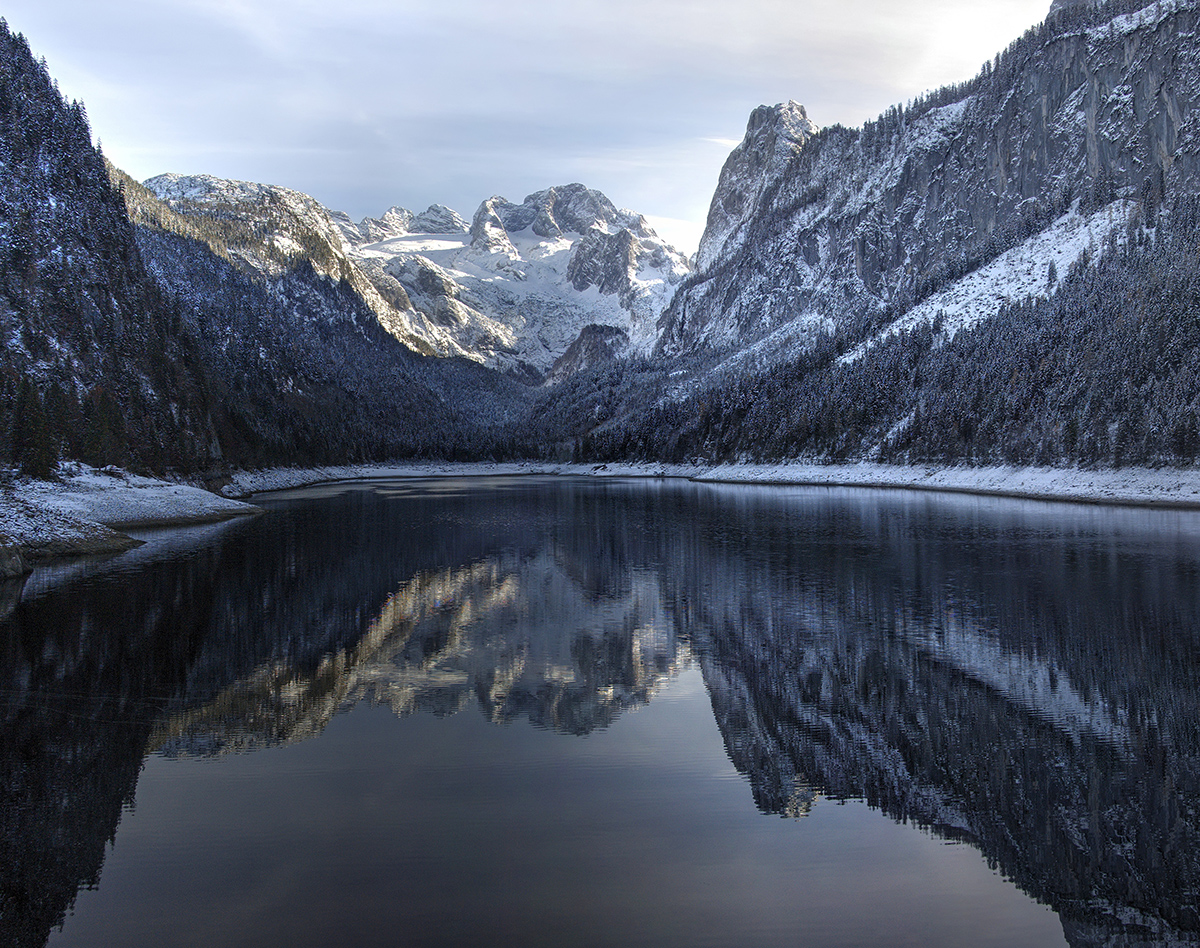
column 1022, row 677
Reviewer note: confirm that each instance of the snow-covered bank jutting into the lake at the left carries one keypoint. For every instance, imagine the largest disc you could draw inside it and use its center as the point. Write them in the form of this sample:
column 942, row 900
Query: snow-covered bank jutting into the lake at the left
column 85, row 511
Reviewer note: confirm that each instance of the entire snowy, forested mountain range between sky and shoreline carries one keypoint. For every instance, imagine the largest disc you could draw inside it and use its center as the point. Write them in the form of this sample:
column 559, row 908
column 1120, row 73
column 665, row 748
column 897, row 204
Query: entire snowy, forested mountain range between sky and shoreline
column 1001, row 271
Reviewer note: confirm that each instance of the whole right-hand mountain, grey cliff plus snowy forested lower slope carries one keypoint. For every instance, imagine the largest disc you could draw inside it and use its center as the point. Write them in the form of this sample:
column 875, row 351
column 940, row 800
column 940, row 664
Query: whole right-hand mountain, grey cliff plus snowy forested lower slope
column 998, row 272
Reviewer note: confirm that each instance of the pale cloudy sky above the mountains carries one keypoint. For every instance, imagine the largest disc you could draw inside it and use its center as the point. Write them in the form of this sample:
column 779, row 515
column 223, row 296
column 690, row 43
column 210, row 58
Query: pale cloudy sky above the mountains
column 373, row 104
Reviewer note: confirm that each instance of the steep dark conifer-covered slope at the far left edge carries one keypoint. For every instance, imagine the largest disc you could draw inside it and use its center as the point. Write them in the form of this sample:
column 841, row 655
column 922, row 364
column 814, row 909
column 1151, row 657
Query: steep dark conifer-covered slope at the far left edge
column 94, row 362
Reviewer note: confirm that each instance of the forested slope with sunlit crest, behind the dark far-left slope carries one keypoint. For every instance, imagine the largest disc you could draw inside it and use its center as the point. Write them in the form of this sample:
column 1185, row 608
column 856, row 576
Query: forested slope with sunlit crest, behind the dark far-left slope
column 290, row 338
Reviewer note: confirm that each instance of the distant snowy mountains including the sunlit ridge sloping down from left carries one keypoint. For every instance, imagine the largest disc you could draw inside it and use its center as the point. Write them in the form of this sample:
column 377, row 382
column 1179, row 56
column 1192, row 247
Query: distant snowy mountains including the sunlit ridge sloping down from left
column 512, row 291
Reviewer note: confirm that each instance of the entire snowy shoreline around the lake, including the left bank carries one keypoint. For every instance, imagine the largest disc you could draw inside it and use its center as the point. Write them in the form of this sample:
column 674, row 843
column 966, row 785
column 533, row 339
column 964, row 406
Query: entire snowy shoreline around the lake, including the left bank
column 86, row 512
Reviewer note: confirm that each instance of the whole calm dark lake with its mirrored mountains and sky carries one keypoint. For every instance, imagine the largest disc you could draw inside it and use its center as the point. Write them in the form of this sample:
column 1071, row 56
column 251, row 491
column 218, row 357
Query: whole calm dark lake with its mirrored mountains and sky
column 549, row 712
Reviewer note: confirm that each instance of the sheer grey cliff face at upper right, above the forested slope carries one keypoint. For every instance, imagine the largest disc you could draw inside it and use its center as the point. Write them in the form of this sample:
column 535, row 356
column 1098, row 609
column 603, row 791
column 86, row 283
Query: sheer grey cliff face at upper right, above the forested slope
column 851, row 225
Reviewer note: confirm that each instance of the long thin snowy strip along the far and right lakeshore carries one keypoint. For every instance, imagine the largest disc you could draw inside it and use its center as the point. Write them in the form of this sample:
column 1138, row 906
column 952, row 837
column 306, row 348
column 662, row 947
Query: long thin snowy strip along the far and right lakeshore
column 1129, row 487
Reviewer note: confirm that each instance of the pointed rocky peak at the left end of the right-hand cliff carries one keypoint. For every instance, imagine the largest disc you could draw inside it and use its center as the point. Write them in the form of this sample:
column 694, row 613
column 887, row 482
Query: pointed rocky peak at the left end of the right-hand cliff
column 775, row 136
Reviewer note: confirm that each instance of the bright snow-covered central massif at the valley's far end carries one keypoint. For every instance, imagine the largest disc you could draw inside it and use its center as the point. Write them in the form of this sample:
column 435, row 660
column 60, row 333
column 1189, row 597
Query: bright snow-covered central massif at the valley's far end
column 517, row 287
